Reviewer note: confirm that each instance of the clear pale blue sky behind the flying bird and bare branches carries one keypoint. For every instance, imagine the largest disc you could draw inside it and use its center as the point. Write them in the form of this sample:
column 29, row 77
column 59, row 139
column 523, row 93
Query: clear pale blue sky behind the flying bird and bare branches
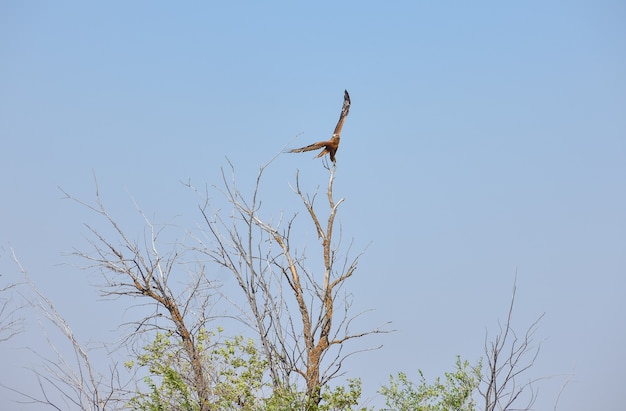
column 485, row 139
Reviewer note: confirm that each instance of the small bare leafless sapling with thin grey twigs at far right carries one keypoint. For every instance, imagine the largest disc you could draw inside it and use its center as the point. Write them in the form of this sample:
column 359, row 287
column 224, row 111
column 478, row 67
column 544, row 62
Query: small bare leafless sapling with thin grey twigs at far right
column 508, row 356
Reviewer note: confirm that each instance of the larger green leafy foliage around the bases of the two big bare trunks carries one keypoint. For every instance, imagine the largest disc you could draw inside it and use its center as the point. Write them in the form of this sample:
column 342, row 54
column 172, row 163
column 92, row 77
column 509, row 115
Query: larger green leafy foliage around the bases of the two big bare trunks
column 236, row 373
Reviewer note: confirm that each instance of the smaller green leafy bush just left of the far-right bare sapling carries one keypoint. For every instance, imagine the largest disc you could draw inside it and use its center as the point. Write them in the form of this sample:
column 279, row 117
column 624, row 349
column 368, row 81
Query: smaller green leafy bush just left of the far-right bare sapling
column 453, row 394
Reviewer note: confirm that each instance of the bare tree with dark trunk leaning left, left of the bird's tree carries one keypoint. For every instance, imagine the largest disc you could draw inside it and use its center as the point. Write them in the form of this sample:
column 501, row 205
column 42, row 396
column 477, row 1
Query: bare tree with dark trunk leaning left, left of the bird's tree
column 136, row 270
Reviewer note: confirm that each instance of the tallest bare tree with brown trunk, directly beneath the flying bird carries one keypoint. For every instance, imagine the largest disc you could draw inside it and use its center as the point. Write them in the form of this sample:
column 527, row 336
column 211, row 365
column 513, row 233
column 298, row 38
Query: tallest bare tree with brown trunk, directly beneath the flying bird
column 292, row 307
